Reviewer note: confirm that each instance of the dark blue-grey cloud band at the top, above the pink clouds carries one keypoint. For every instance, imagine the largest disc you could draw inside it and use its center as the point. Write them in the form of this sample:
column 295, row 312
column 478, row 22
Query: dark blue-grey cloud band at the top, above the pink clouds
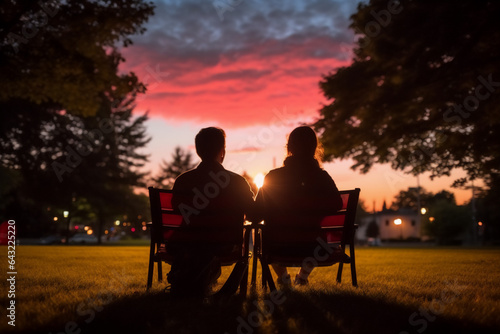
column 193, row 30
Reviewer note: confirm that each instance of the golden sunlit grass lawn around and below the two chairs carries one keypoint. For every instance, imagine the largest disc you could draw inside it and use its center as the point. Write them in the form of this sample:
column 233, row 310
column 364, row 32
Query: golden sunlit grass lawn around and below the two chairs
column 93, row 289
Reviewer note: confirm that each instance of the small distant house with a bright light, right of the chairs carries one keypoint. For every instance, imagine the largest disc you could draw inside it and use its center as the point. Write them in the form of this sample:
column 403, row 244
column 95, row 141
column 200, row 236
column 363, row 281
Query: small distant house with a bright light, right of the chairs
column 393, row 224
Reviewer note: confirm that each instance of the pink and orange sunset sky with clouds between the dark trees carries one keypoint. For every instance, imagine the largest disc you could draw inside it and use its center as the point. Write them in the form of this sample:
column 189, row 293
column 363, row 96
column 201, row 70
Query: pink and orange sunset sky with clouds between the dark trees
column 252, row 68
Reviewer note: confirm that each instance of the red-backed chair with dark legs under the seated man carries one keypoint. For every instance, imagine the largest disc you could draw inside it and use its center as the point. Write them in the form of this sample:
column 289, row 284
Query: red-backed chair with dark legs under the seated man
column 168, row 226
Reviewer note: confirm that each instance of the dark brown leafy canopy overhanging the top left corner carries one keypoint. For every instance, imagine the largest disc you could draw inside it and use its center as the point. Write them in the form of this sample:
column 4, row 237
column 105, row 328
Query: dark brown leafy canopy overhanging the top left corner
column 65, row 54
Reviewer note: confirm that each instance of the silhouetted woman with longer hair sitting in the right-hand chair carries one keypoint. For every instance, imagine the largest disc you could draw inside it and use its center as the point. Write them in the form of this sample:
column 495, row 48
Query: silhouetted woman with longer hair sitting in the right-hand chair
column 299, row 189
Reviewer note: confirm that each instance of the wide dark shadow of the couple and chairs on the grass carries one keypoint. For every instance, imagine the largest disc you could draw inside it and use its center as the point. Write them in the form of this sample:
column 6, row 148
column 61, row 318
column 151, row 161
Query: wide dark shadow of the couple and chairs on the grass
column 294, row 311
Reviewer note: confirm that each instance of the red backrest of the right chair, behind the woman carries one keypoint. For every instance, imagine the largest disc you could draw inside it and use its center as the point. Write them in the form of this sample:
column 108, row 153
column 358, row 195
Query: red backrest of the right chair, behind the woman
column 308, row 226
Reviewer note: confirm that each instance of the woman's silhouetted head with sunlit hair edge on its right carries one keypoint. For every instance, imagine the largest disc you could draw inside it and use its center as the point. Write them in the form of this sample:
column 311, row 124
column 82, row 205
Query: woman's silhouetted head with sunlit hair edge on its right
column 303, row 143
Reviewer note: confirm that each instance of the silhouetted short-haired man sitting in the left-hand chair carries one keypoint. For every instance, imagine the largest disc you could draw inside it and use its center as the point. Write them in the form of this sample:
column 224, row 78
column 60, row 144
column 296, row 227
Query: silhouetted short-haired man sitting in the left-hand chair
column 213, row 202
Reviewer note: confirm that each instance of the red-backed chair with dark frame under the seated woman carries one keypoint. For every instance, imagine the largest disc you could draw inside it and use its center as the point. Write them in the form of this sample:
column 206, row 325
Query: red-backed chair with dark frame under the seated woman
column 281, row 240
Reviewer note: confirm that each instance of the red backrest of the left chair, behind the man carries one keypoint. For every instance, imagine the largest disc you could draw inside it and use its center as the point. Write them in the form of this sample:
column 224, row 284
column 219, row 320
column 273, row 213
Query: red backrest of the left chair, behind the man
column 217, row 225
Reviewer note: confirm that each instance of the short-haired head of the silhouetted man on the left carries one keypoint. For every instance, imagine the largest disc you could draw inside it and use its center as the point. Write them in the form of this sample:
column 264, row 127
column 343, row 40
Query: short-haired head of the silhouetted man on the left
column 211, row 144
